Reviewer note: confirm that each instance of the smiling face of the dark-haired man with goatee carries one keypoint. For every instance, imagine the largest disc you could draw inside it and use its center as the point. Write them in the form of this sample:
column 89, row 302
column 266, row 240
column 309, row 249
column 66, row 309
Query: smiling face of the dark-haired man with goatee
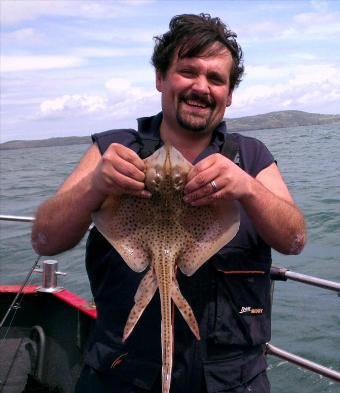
column 195, row 91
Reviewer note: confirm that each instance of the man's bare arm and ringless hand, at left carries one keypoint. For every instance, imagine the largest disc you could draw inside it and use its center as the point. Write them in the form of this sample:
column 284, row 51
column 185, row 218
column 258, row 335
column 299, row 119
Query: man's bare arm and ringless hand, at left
column 63, row 219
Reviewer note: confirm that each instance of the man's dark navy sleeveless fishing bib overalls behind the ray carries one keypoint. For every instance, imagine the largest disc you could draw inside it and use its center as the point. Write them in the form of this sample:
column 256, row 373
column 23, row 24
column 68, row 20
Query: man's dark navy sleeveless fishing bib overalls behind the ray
column 229, row 294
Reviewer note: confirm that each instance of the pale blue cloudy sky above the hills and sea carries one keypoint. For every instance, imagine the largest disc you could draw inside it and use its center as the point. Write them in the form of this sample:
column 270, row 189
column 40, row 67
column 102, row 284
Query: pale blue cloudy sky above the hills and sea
column 80, row 66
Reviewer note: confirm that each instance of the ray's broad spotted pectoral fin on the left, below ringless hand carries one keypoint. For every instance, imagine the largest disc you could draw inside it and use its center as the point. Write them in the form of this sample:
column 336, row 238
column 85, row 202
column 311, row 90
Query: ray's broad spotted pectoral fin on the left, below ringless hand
column 124, row 221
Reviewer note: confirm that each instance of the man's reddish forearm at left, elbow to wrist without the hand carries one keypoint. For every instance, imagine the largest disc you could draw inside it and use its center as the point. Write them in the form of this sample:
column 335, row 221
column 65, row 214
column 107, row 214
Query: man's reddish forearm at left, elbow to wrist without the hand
column 62, row 220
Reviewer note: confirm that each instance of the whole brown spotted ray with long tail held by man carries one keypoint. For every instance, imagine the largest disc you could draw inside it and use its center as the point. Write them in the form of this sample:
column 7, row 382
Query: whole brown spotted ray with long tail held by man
column 161, row 233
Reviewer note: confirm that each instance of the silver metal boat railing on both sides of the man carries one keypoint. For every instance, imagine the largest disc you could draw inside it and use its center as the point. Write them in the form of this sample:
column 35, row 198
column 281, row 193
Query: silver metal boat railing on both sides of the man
column 277, row 274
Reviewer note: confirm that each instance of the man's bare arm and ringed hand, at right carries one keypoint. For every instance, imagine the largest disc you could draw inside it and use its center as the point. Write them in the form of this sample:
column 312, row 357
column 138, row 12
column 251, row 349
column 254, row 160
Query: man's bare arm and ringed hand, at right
column 266, row 199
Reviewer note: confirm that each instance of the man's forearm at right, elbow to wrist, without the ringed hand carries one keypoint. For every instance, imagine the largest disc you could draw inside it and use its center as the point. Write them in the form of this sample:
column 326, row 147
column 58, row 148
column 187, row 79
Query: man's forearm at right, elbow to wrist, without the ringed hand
column 278, row 221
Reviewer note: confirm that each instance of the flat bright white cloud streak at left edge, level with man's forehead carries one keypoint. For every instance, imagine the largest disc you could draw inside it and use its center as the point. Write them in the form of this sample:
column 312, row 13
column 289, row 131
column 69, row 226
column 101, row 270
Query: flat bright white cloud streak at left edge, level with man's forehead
column 36, row 63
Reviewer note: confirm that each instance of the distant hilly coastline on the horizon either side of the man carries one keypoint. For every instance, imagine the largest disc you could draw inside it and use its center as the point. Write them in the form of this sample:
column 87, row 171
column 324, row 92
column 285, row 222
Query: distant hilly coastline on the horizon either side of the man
column 281, row 119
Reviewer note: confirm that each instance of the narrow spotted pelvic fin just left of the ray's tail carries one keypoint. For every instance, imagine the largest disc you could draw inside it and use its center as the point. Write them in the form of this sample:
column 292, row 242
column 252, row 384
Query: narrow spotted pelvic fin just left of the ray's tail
column 143, row 296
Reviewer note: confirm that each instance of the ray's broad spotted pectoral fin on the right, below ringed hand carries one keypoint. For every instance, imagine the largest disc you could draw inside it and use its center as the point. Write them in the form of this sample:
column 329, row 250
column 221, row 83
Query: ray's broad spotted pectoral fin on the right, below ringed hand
column 207, row 230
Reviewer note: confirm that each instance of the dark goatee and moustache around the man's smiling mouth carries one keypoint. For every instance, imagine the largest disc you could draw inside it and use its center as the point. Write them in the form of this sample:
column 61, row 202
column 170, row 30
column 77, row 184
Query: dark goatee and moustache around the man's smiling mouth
column 192, row 121
